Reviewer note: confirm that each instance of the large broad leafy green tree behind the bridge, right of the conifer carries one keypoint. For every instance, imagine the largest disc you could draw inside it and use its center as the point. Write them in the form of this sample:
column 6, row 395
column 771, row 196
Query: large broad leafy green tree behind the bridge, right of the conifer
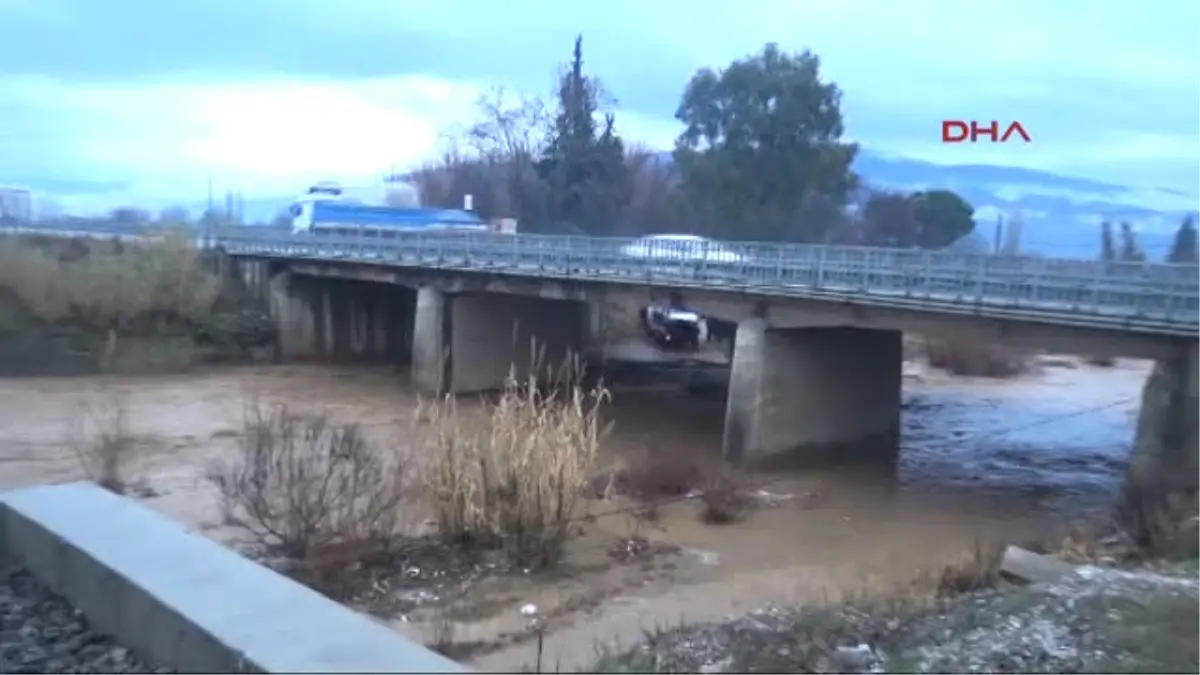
column 761, row 154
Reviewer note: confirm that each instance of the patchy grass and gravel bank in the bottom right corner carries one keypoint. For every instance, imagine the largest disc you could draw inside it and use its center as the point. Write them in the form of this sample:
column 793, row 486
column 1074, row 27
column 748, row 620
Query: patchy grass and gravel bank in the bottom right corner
column 1097, row 620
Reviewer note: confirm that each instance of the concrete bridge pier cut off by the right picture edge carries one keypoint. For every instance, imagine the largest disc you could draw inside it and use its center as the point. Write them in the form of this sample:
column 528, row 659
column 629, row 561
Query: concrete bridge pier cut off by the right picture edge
column 1167, row 447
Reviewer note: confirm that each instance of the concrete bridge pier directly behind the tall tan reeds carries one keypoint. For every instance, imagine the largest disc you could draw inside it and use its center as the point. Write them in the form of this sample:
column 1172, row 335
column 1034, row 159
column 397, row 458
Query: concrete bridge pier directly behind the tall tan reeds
column 467, row 343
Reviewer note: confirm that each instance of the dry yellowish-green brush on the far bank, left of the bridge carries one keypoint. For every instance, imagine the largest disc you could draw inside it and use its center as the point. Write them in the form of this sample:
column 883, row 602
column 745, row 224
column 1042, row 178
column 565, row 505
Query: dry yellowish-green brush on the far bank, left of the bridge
column 109, row 285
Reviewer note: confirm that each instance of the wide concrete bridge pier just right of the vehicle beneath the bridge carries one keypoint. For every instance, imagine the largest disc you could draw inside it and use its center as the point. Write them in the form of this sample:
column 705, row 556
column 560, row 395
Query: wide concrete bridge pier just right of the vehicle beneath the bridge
column 805, row 396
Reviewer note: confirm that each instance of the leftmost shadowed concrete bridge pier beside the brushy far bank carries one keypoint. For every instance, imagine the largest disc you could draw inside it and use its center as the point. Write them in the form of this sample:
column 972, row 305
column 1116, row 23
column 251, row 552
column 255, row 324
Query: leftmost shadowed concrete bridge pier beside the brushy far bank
column 341, row 321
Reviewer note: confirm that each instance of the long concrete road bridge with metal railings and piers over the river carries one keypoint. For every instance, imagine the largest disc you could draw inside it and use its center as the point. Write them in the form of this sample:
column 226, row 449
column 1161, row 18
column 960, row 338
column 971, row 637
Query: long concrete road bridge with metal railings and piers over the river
column 817, row 362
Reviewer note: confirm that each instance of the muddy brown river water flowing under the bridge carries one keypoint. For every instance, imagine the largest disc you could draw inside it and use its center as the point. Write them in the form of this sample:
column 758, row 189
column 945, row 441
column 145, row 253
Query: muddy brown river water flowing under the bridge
column 982, row 461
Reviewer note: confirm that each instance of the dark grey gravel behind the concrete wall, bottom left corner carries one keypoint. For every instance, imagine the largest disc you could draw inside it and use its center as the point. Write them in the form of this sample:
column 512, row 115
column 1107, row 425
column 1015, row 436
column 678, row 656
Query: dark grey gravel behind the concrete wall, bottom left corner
column 40, row 632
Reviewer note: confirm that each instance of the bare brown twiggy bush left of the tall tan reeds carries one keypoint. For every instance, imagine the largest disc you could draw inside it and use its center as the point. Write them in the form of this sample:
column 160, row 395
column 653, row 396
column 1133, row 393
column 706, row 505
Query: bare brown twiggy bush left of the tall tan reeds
column 311, row 489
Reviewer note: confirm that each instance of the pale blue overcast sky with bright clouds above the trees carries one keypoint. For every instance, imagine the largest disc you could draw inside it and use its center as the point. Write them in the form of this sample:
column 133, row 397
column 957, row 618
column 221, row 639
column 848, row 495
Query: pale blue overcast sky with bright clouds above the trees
column 131, row 100
